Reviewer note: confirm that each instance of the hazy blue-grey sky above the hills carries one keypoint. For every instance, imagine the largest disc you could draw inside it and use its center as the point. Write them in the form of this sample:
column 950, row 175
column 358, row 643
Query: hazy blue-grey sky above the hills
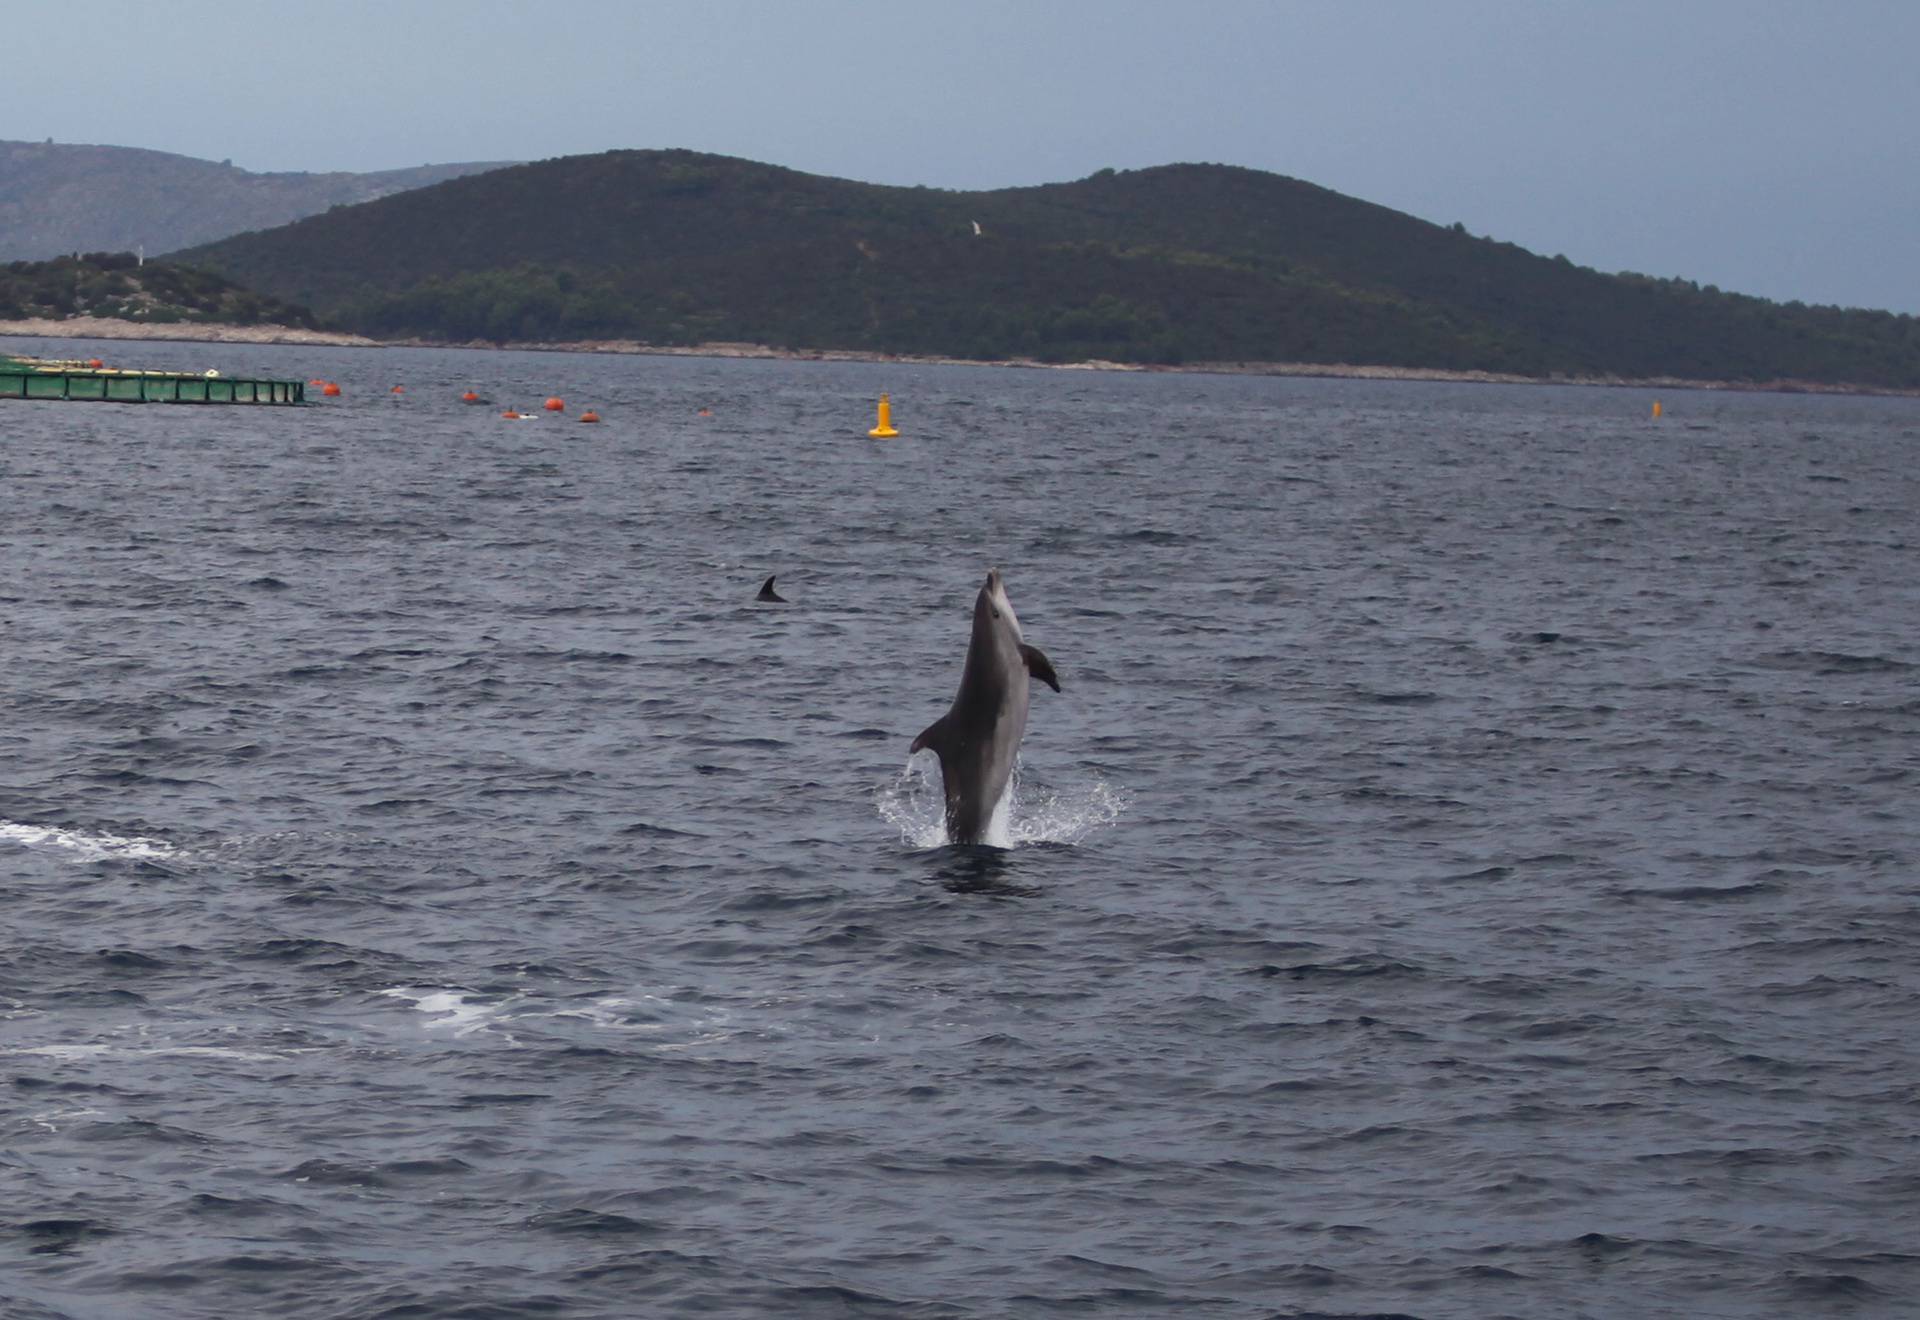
column 1767, row 147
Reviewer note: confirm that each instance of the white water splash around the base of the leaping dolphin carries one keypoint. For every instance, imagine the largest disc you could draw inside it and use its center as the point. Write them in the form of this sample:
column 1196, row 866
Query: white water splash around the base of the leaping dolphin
column 1030, row 813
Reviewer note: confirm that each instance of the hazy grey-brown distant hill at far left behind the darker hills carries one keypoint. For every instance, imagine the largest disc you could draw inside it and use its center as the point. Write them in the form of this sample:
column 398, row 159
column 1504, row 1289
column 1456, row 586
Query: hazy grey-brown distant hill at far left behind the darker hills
column 62, row 199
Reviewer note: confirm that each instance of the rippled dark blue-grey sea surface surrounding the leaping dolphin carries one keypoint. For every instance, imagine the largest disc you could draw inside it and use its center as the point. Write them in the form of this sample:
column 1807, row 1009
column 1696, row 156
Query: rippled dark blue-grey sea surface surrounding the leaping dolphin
column 1474, row 866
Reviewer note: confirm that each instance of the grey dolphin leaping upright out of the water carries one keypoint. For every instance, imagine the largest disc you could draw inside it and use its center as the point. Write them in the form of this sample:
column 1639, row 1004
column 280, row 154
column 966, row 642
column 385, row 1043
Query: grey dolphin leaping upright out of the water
column 978, row 738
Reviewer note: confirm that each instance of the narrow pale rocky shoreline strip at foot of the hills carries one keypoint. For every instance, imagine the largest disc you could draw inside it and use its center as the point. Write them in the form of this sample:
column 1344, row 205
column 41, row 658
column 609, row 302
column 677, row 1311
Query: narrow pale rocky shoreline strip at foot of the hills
column 210, row 333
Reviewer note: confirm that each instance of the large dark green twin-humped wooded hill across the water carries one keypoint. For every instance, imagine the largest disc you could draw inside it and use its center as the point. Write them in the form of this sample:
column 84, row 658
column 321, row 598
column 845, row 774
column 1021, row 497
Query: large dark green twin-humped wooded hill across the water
column 1157, row 266
